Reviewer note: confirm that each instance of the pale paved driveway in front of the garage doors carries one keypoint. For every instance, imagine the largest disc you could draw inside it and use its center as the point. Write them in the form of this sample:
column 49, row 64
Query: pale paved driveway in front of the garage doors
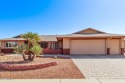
column 101, row 66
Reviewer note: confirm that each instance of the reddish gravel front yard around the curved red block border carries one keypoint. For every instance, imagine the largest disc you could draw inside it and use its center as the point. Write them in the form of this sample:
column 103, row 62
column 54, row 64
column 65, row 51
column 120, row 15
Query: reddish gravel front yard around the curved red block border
column 65, row 69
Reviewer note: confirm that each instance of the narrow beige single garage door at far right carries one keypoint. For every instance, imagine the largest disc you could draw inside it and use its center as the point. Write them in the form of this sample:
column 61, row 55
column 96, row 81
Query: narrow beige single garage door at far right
column 114, row 46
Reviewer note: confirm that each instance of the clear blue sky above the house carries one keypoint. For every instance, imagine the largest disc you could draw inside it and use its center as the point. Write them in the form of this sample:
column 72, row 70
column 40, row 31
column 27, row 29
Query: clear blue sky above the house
column 60, row 16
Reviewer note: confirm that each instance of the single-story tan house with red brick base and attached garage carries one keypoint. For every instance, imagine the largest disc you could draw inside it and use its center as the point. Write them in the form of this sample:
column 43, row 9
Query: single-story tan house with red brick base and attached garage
column 88, row 41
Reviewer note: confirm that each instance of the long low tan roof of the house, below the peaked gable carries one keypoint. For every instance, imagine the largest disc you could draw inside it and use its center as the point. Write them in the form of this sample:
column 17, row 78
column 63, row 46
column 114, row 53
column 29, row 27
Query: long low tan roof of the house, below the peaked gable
column 54, row 37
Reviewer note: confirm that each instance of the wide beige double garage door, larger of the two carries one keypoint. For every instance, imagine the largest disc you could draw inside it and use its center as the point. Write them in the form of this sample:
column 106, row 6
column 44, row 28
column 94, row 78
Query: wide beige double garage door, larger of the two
column 87, row 47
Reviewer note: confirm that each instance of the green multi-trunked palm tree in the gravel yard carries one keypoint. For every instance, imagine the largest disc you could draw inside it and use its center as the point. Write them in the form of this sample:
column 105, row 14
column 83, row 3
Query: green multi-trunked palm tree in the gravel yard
column 32, row 48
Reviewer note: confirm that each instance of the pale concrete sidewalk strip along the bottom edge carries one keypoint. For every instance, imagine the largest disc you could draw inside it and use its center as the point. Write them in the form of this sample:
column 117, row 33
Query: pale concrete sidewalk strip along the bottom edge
column 63, row 81
